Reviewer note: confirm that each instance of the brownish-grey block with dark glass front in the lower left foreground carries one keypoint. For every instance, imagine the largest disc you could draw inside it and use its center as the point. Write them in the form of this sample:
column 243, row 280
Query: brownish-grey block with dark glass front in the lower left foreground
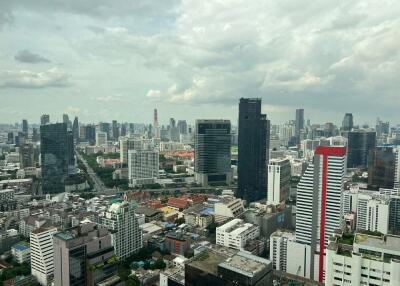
column 84, row 255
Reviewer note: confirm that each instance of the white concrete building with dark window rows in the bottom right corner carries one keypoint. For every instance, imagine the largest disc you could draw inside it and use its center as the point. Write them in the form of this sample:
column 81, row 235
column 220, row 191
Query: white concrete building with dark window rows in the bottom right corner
column 364, row 260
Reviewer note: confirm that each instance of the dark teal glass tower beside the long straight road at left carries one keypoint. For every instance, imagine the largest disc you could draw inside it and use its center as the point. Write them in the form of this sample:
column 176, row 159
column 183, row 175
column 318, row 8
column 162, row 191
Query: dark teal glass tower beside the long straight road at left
column 54, row 157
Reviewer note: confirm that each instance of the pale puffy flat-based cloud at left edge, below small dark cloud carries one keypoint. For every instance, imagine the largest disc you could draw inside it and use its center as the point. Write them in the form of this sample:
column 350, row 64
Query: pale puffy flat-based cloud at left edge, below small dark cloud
column 29, row 79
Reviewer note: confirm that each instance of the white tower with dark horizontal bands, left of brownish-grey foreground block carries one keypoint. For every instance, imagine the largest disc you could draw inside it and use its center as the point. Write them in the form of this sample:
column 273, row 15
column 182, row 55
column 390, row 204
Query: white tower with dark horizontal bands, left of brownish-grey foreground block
column 42, row 254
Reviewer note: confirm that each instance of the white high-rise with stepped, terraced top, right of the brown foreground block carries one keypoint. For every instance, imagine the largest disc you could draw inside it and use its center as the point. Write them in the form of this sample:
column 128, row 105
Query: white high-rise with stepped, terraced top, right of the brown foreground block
column 126, row 235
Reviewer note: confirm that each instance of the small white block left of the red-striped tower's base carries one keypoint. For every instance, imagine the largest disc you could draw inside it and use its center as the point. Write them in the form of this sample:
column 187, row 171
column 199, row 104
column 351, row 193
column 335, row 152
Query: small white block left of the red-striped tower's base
column 278, row 248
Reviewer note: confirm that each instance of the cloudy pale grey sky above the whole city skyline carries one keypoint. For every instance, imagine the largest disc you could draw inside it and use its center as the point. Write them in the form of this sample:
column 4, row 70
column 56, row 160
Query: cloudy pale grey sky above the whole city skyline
column 104, row 60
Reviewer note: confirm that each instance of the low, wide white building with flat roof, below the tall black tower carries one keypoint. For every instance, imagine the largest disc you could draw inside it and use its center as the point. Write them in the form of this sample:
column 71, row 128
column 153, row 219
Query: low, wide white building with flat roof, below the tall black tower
column 236, row 234
